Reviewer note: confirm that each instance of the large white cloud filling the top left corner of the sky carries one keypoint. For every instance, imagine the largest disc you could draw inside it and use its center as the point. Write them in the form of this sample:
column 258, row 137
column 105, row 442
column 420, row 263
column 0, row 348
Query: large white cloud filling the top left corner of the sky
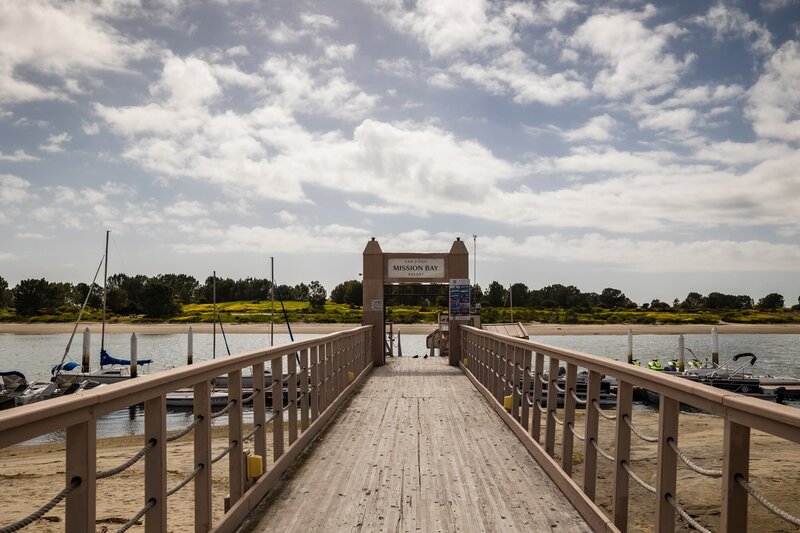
column 58, row 39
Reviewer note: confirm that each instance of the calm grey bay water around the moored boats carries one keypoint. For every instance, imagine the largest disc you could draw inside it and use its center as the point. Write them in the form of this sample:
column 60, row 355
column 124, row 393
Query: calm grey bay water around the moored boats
column 34, row 355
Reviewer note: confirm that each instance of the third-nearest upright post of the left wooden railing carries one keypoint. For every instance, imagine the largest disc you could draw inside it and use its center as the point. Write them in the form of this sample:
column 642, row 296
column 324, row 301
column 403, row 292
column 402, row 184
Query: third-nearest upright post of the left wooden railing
column 202, row 456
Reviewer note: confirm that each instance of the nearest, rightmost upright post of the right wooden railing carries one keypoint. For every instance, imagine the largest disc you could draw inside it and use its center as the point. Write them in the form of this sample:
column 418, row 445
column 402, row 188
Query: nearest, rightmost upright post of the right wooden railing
column 736, row 460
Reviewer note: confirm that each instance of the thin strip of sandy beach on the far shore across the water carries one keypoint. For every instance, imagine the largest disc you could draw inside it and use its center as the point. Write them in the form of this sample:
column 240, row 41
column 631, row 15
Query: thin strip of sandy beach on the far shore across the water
column 412, row 329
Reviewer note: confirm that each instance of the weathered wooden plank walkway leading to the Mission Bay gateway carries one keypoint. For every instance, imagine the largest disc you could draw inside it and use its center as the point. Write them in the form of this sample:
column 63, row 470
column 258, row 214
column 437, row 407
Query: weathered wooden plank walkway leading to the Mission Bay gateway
column 417, row 449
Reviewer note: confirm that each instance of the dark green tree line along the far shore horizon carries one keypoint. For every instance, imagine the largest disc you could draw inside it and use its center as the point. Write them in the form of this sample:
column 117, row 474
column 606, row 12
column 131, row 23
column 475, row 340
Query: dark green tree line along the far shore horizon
column 164, row 295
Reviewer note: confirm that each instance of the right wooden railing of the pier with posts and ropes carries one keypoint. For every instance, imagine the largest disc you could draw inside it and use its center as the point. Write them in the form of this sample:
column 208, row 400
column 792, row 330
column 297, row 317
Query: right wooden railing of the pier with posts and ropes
column 512, row 372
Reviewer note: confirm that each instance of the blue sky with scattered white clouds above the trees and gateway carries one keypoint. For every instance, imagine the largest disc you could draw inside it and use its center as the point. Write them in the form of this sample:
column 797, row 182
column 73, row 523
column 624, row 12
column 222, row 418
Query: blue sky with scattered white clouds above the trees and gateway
column 650, row 147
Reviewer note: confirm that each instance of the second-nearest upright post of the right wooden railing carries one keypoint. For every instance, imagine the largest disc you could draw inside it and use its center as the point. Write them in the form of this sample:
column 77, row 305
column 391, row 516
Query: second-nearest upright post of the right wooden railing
column 668, row 412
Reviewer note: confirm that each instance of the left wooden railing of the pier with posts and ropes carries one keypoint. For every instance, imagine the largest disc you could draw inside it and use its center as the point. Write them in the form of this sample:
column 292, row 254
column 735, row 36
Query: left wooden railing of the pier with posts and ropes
column 330, row 368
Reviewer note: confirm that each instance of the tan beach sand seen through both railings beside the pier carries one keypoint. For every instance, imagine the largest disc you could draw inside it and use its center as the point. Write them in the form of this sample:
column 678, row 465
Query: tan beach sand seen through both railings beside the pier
column 32, row 474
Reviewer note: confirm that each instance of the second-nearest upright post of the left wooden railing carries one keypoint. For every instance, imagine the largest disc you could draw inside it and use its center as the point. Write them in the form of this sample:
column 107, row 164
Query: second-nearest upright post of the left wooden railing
column 155, row 464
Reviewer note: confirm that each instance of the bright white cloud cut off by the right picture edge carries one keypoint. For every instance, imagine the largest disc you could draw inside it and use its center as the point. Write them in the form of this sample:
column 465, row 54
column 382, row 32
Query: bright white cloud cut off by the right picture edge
column 773, row 103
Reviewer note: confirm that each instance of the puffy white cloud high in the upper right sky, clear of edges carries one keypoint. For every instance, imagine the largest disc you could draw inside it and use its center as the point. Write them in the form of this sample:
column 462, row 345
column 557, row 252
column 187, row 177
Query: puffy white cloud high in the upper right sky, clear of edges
column 633, row 58
